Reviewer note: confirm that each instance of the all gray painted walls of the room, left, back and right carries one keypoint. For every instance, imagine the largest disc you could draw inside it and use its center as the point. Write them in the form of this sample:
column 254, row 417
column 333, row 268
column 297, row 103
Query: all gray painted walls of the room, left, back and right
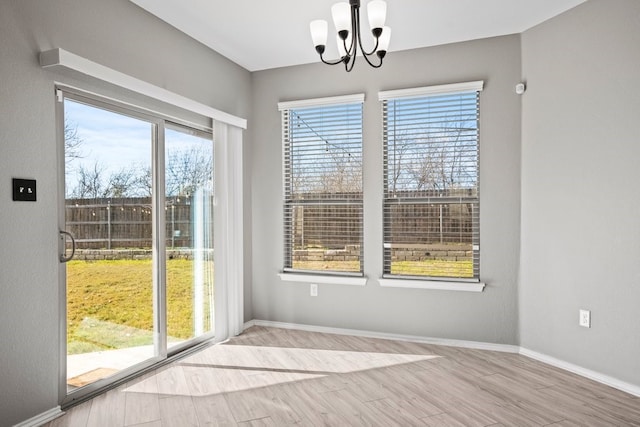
column 579, row 179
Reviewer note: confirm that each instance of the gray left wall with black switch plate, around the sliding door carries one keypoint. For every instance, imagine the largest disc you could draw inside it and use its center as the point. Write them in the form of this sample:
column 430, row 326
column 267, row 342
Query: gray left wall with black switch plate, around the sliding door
column 119, row 35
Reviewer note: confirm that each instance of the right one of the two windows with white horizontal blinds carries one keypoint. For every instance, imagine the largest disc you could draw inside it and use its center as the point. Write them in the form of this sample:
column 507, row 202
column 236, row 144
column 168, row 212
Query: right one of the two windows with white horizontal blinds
column 431, row 182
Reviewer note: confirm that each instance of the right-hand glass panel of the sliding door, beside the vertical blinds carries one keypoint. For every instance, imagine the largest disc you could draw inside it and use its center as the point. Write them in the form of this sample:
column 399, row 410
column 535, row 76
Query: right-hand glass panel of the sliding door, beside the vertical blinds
column 189, row 225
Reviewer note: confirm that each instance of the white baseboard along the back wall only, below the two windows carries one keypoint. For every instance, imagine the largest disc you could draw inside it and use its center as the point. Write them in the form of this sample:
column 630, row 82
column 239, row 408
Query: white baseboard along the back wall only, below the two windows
column 506, row 348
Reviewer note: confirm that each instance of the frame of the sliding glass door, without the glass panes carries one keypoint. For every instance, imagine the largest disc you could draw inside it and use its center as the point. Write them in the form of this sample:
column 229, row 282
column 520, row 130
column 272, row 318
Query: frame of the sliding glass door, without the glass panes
column 158, row 123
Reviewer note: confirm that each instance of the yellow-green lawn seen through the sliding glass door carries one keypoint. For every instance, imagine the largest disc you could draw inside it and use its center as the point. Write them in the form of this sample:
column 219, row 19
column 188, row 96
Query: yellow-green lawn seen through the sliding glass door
column 109, row 303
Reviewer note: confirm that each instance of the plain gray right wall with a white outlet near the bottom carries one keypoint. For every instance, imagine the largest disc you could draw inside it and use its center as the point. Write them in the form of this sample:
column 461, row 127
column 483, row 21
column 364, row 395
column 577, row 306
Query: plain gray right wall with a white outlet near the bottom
column 580, row 176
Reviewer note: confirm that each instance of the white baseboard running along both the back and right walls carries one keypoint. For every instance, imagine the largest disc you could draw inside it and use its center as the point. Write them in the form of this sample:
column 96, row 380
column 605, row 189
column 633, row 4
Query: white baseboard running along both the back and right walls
column 506, row 348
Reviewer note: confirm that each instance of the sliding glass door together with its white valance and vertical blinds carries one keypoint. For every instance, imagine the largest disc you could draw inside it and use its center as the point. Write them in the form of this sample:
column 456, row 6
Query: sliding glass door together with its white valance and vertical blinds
column 171, row 301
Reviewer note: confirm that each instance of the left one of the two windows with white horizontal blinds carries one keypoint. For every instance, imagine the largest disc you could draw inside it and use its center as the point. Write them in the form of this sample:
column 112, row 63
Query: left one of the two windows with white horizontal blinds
column 322, row 144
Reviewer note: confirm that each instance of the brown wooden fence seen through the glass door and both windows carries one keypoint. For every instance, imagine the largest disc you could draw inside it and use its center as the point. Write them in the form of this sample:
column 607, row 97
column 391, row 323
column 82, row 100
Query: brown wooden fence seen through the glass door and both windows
column 127, row 223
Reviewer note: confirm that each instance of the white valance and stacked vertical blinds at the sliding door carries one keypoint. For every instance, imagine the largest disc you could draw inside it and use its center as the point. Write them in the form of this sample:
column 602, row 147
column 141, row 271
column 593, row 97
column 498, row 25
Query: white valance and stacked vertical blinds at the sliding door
column 228, row 201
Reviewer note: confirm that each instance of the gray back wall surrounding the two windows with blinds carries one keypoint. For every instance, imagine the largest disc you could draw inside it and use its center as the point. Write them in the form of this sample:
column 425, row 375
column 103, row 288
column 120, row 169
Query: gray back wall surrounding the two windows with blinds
column 490, row 316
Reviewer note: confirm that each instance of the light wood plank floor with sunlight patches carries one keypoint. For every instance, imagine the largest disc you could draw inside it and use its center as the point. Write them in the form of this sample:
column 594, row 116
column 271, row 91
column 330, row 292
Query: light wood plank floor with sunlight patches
column 276, row 377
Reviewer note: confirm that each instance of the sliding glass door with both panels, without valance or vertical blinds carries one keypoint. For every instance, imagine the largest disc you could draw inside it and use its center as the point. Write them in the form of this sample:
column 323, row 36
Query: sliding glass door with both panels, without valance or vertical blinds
column 136, row 239
